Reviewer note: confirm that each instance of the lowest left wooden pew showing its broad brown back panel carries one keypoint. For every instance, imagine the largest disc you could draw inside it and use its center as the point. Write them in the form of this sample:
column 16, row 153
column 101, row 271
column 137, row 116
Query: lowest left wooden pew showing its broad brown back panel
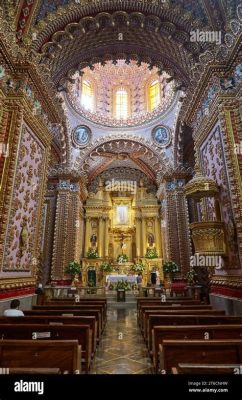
column 62, row 354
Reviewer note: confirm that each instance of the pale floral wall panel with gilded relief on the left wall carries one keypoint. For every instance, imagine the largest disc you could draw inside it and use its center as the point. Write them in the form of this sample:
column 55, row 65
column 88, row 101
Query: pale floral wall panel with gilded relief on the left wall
column 23, row 216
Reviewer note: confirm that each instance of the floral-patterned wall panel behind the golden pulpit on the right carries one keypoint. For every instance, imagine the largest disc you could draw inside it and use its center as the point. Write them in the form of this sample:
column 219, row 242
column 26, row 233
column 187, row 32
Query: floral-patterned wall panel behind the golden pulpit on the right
column 214, row 166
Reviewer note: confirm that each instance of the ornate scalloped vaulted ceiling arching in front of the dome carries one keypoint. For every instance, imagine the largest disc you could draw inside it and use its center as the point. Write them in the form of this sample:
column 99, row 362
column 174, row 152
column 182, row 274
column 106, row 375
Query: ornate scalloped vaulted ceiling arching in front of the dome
column 81, row 33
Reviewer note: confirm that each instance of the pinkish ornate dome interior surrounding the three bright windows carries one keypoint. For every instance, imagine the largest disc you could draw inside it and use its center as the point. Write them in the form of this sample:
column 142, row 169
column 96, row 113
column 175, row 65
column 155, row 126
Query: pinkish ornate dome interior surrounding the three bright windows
column 106, row 79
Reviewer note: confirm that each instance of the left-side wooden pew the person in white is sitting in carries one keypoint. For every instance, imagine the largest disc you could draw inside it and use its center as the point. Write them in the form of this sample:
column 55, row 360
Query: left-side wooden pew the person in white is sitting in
column 56, row 320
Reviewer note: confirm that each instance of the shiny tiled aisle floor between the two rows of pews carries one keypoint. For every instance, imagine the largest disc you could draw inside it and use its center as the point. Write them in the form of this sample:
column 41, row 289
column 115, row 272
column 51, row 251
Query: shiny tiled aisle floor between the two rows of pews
column 122, row 349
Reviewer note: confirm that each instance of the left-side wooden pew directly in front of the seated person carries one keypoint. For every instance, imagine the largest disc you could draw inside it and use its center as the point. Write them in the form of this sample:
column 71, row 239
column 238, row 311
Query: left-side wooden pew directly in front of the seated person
column 72, row 307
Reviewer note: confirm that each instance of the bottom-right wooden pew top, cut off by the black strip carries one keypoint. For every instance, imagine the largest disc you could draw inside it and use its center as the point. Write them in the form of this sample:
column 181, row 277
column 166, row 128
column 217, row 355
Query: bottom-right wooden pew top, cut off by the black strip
column 206, row 369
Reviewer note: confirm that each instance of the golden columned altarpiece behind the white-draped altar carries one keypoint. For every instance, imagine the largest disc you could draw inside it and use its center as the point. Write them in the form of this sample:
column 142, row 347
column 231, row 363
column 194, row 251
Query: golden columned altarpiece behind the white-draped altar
column 121, row 223
